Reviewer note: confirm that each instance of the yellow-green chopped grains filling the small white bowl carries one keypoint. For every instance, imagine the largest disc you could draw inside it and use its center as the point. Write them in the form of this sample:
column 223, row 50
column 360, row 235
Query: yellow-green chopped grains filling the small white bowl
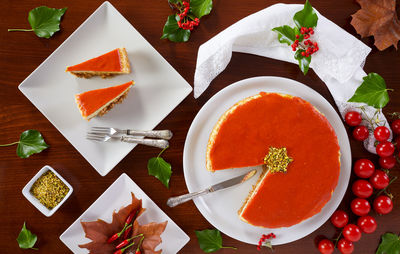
column 49, row 189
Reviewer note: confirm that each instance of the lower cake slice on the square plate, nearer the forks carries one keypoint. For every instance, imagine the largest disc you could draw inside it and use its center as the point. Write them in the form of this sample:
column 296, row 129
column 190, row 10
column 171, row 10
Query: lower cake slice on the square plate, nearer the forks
column 98, row 102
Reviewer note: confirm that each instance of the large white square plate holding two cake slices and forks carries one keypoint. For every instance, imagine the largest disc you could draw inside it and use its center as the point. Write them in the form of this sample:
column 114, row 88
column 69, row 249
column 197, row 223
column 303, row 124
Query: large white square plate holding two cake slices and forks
column 158, row 88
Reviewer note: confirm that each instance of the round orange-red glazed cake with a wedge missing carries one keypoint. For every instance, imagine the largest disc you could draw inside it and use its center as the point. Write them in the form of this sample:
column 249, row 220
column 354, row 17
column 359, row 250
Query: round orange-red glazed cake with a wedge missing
column 242, row 138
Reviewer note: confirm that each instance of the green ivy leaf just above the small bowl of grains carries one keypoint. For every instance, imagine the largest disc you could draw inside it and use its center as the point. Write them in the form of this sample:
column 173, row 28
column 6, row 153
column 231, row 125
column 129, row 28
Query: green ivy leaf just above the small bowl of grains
column 30, row 142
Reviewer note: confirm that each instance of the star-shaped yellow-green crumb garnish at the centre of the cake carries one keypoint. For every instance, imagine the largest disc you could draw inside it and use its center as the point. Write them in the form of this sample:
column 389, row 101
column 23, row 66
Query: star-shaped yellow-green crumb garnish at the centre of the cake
column 277, row 160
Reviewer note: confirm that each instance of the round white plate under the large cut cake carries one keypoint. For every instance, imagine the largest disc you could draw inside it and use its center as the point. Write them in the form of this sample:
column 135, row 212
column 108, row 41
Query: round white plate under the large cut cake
column 220, row 208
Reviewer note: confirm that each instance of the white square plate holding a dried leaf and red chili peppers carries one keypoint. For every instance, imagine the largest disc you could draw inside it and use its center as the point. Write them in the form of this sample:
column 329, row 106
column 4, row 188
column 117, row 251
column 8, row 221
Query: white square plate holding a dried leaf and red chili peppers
column 115, row 197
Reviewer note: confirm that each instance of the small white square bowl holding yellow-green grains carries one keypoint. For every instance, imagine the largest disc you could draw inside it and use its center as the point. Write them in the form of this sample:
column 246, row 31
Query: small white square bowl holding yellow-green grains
column 26, row 192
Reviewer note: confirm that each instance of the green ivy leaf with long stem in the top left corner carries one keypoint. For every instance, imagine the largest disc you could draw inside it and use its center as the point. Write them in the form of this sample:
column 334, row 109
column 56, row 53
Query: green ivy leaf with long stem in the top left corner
column 44, row 21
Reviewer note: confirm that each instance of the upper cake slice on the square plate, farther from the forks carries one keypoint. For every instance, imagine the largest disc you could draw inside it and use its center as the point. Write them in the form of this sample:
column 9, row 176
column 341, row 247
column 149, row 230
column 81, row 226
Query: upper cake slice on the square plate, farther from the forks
column 106, row 65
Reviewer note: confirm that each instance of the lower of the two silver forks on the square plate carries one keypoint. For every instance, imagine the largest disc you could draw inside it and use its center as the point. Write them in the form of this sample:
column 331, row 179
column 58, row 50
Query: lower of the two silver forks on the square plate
column 160, row 143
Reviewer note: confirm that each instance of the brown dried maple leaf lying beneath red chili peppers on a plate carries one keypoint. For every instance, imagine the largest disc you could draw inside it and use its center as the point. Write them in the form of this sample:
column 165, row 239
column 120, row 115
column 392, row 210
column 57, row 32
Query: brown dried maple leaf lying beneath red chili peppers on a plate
column 99, row 231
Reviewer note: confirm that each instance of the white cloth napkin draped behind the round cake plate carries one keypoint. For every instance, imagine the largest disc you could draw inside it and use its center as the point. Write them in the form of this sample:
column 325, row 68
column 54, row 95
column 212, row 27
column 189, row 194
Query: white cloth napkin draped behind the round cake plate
column 338, row 62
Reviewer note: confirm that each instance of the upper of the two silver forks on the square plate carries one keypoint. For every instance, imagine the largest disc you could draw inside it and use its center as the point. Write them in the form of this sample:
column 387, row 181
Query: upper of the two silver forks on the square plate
column 164, row 134
